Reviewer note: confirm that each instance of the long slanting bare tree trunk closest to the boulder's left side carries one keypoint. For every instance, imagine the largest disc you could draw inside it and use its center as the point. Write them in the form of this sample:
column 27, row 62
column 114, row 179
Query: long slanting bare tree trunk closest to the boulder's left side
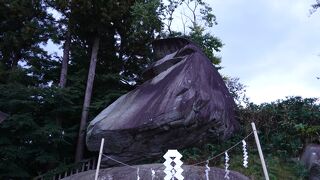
column 87, row 99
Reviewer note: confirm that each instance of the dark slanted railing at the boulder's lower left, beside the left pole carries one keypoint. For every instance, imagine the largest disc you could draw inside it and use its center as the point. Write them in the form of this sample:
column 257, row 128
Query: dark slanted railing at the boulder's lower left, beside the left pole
column 57, row 174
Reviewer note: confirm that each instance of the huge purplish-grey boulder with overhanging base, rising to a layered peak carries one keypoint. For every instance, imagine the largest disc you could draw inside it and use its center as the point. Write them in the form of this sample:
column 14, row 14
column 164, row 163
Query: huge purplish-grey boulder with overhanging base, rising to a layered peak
column 183, row 102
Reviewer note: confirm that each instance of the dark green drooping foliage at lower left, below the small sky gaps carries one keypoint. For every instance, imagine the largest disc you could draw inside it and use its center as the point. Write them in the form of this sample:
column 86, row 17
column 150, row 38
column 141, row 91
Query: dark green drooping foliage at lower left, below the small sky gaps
column 31, row 142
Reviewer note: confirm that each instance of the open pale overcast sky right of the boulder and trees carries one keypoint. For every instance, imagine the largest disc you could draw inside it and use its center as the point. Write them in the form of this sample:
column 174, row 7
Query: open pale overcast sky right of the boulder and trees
column 273, row 46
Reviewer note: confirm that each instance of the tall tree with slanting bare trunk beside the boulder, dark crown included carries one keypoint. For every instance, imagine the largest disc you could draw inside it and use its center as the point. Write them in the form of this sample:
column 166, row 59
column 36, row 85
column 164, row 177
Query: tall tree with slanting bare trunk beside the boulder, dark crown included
column 94, row 20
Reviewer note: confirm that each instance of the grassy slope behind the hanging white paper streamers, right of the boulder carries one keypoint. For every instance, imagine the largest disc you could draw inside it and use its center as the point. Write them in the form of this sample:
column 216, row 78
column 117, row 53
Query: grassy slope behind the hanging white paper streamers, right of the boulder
column 279, row 167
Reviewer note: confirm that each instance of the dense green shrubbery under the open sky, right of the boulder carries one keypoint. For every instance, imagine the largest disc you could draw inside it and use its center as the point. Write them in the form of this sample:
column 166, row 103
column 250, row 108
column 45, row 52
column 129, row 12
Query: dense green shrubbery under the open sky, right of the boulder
column 285, row 125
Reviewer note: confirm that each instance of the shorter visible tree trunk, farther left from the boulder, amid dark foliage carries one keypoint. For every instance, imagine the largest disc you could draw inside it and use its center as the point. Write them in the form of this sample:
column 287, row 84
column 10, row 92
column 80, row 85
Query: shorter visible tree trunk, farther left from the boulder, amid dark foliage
column 65, row 60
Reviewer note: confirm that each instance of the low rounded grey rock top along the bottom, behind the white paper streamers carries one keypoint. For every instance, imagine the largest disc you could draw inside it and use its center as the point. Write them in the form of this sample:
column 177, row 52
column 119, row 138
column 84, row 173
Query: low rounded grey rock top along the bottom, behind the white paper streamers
column 128, row 173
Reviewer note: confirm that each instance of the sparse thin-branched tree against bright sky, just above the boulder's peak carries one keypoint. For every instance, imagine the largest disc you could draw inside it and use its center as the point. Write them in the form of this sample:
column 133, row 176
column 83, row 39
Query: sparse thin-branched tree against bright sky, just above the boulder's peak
column 196, row 15
